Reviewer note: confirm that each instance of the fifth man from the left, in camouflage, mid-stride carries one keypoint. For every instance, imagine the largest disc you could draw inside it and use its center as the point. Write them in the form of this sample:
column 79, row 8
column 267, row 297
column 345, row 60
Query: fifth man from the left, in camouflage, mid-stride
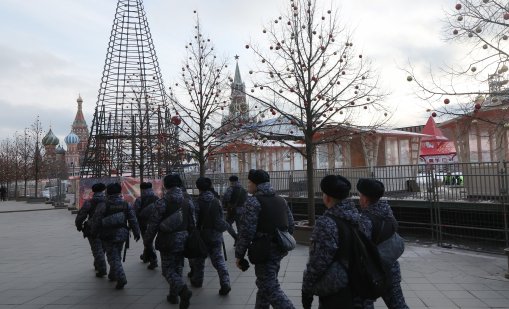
column 212, row 225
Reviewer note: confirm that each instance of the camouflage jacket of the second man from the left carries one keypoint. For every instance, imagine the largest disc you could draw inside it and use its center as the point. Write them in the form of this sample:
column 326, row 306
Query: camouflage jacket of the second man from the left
column 119, row 234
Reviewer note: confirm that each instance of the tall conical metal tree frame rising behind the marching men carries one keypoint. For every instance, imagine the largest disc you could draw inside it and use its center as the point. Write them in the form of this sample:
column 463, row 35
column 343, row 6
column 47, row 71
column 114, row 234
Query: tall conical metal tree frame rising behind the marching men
column 131, row 133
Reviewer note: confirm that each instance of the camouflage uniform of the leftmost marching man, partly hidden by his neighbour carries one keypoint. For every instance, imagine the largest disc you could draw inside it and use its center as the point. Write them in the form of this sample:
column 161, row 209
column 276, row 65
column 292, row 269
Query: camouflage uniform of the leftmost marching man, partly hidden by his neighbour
column 86, row 212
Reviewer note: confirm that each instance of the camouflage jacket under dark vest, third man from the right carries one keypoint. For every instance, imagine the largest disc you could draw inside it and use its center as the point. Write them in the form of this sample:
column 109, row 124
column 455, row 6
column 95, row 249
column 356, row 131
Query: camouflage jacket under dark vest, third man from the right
column 249, row 219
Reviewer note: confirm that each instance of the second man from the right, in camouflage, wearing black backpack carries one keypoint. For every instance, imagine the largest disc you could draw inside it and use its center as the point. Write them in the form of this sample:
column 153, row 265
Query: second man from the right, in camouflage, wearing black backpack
column 325, row 244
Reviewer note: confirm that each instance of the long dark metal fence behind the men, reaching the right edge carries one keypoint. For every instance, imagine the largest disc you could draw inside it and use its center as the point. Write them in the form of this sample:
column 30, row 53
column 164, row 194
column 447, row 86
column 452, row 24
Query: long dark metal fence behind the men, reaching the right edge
column 460, row 204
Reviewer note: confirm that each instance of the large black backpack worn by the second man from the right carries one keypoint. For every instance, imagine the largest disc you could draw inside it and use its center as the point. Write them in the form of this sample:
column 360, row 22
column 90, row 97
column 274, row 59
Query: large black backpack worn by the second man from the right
column 367, row 276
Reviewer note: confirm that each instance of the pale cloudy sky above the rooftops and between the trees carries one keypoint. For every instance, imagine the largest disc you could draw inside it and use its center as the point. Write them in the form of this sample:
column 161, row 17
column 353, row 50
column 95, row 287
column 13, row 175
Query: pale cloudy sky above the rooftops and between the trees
column 51, row 51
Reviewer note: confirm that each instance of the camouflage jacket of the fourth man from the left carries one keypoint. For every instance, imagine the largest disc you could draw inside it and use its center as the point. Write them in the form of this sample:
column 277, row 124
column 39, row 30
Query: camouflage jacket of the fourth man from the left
column 175, row 241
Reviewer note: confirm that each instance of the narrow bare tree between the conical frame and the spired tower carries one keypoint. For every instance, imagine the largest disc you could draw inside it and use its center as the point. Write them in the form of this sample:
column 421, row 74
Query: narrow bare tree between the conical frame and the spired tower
column 199, row 99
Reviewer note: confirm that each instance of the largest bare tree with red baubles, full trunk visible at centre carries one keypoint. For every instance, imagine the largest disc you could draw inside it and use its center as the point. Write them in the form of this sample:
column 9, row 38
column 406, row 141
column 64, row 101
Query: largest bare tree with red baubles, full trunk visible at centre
column 311, row 77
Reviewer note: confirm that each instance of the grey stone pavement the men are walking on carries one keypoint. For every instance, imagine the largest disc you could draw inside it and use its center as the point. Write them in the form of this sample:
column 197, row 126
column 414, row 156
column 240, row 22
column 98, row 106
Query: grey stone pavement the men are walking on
column 46, row 263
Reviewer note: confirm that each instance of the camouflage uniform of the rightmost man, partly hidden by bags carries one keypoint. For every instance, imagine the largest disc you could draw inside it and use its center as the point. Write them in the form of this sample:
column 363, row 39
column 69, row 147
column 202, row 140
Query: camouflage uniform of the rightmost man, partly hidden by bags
column 393, row 298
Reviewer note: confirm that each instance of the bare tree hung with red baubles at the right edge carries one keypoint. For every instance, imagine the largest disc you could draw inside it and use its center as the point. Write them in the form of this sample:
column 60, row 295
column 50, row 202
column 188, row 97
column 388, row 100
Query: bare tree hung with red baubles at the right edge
column 473, row 90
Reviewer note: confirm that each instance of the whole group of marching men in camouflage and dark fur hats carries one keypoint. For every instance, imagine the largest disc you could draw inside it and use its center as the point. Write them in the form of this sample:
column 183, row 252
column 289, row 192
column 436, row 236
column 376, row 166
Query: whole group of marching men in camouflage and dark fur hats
column 106, row 220
